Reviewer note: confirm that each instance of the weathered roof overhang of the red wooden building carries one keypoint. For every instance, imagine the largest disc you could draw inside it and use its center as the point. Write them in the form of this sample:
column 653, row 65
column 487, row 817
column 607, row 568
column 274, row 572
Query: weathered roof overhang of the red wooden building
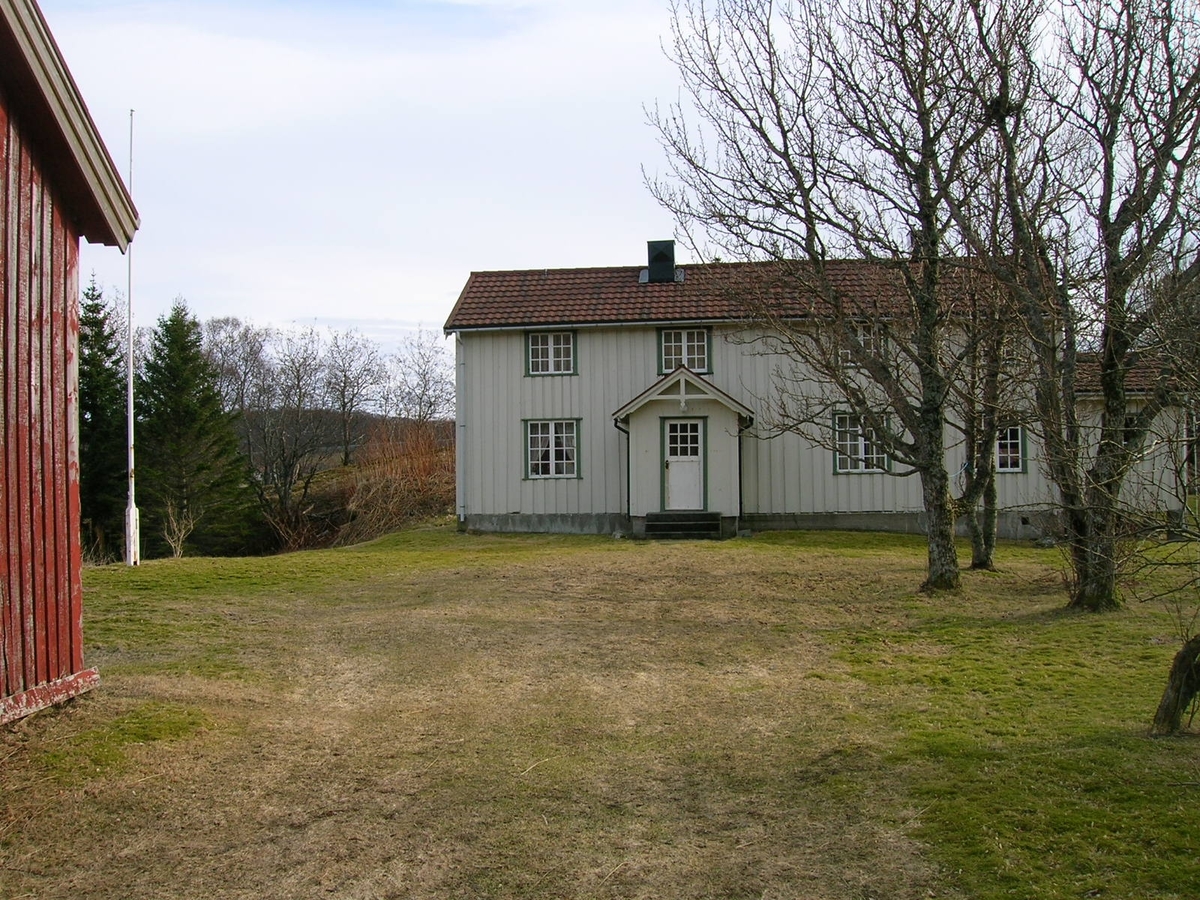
column 39, row 83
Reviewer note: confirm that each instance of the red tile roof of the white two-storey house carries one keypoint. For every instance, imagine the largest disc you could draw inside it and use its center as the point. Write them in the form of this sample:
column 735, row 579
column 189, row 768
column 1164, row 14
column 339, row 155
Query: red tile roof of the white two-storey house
column 711, row 292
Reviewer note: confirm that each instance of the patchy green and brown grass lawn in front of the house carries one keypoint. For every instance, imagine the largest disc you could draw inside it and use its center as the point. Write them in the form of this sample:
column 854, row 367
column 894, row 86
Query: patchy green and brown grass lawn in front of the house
column 447, row 716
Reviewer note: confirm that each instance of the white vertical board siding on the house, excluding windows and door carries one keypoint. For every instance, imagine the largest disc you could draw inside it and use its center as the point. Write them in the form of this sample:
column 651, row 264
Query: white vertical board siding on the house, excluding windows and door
column 779, row 475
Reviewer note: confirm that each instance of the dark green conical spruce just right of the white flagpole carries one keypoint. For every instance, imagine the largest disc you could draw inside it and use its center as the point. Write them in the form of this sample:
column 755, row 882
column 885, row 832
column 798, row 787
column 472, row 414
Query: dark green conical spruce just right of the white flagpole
column 191, row 475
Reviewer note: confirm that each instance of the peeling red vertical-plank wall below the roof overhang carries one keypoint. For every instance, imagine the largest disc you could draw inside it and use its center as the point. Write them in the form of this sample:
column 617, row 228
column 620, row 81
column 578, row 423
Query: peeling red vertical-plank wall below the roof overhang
column 41, row 596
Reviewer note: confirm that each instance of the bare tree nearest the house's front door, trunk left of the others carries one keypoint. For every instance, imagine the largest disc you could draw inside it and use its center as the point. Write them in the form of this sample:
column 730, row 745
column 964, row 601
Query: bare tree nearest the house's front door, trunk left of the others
column 837, row 131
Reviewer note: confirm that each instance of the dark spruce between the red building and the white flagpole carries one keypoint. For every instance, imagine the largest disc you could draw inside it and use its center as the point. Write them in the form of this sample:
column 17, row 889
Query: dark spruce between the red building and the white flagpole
column 104, row 470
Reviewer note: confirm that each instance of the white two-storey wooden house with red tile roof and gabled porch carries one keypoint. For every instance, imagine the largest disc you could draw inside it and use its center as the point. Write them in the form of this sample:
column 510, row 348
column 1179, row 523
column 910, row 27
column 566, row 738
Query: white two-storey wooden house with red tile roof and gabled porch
column 615, row 400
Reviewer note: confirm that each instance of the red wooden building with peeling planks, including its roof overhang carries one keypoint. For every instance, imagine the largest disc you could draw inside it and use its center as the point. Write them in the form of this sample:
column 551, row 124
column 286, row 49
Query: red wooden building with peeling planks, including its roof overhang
column 58, row 184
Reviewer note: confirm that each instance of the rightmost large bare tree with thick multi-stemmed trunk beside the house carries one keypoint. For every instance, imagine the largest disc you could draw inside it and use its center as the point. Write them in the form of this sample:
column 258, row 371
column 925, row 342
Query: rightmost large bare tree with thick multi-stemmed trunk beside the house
column 1095, row 117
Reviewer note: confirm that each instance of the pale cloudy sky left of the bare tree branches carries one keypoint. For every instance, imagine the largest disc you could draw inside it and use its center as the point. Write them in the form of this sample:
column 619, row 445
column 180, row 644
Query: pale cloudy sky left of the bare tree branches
column 349, row 165
